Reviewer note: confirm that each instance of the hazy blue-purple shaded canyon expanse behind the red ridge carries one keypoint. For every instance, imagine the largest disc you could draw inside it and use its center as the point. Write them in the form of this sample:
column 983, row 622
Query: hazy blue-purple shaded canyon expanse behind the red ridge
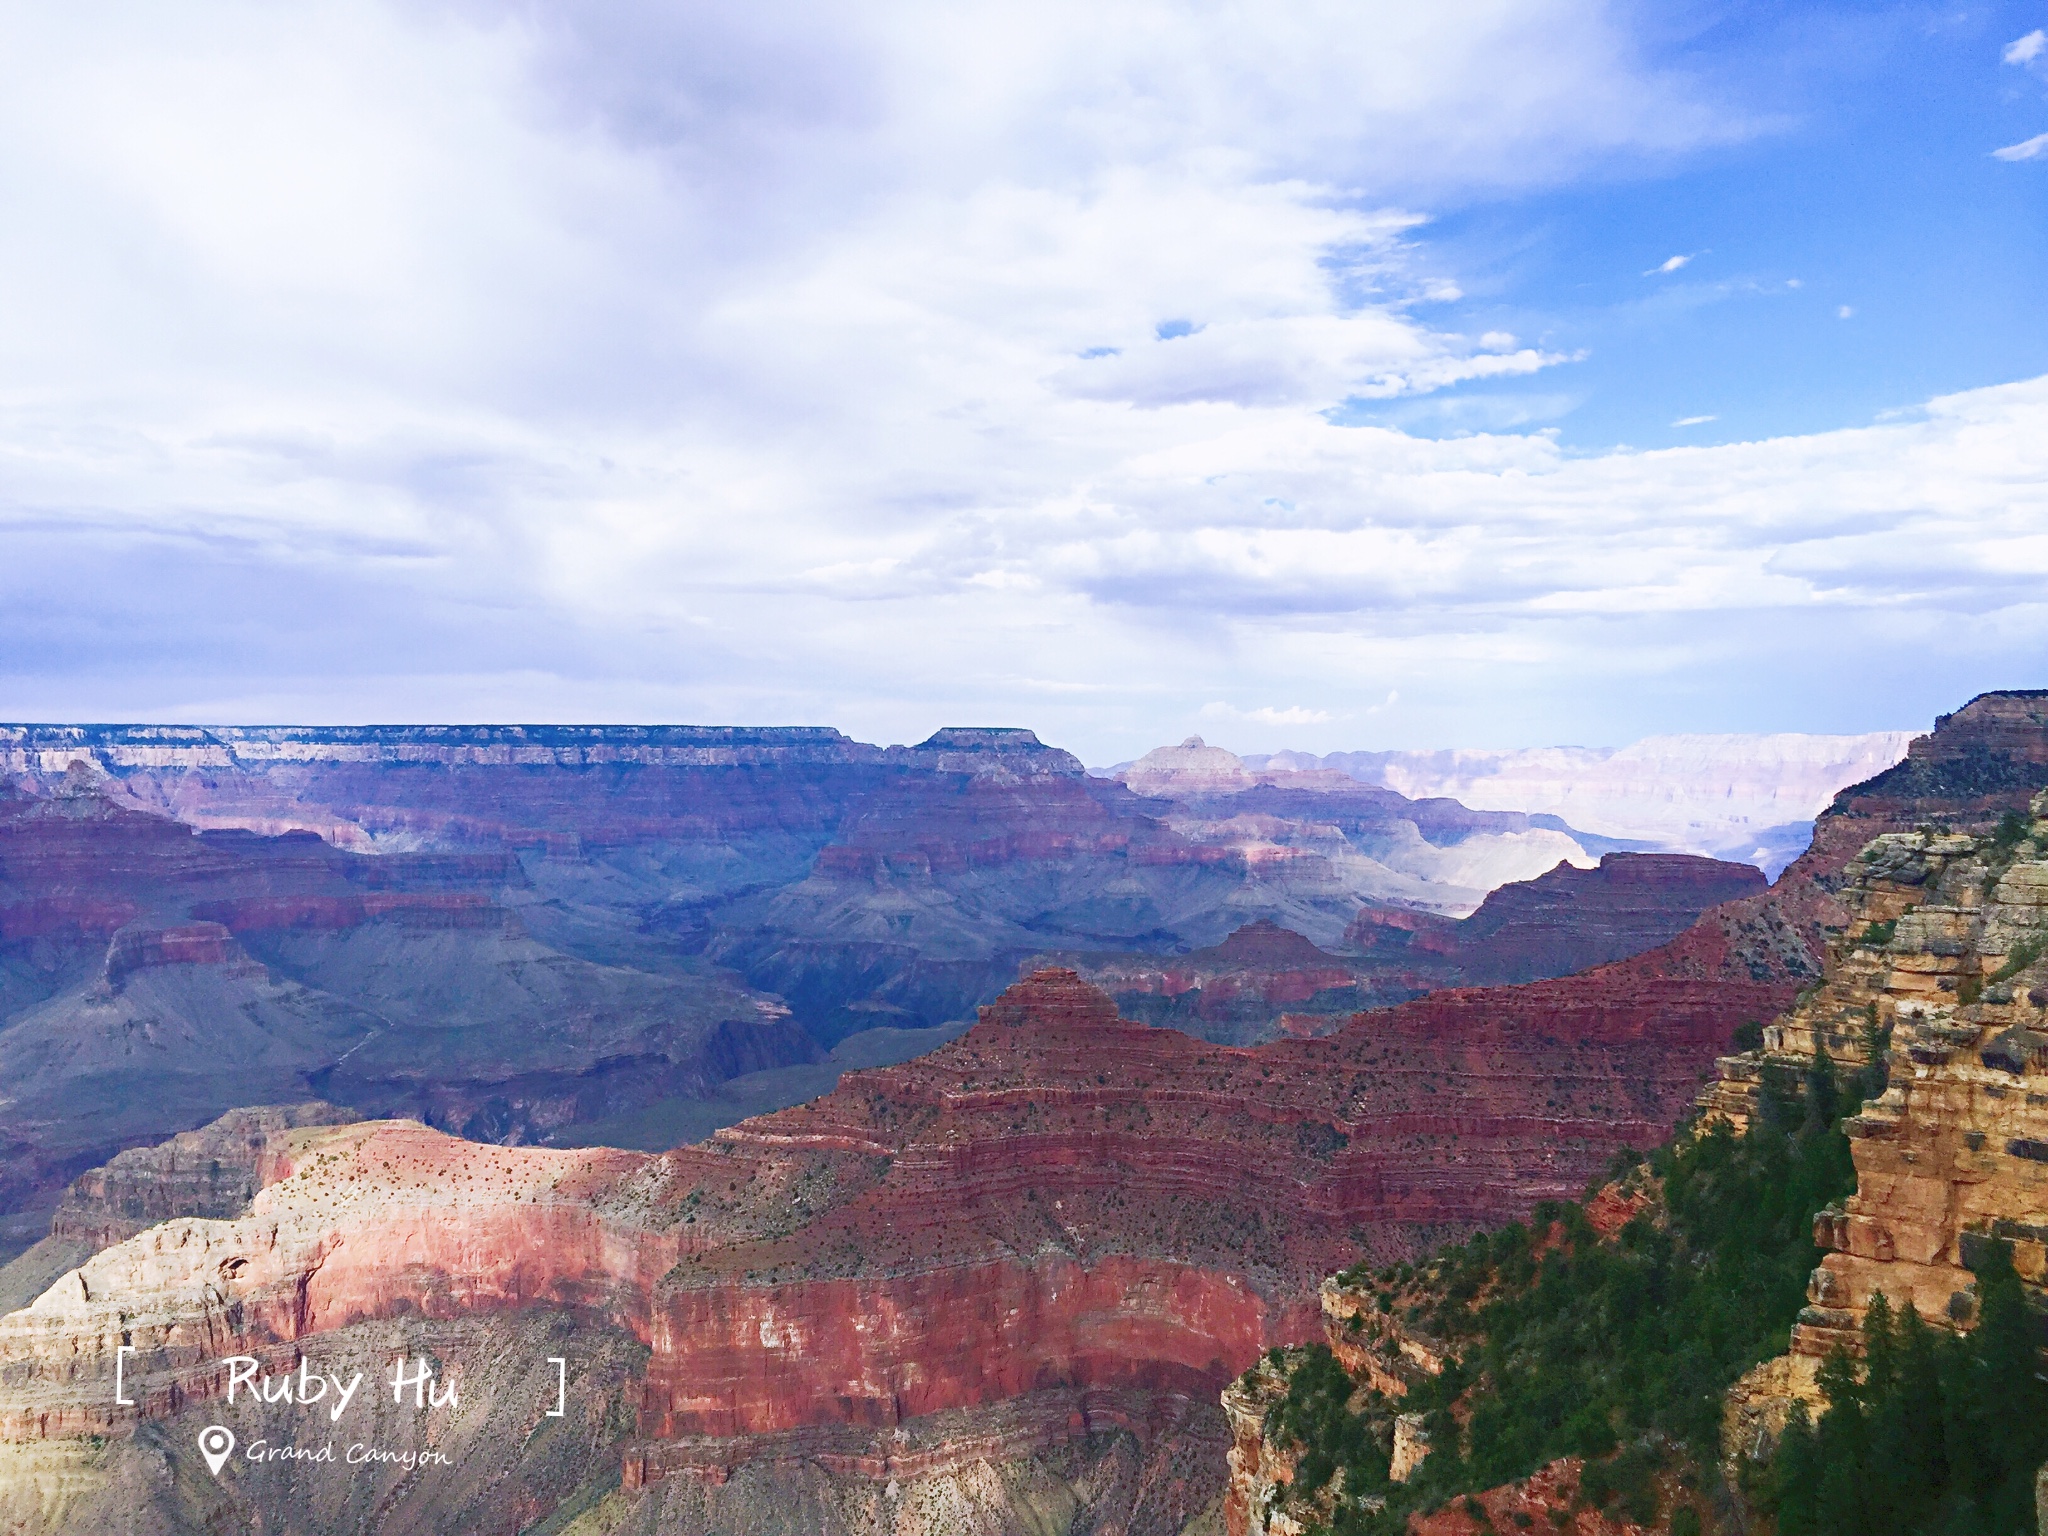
column 525, row 933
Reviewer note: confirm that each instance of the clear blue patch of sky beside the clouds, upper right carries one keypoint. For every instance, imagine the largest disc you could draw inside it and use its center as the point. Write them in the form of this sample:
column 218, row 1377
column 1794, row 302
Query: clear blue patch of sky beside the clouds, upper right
column 1867, row 187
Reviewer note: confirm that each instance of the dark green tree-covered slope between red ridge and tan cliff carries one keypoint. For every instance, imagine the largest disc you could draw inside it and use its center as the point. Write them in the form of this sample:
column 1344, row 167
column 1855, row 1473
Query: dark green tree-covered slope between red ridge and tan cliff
column 1568, row 1345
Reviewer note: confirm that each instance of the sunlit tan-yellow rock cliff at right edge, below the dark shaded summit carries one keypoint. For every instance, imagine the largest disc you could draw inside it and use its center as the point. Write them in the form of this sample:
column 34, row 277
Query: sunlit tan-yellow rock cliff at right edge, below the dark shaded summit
column 1940, row 980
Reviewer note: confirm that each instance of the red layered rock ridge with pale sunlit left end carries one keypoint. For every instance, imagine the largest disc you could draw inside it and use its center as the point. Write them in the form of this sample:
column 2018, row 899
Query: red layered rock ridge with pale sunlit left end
column 1046, row 1246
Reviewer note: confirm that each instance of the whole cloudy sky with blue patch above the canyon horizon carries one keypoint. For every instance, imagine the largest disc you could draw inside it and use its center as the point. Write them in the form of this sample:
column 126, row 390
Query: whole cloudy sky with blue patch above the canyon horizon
column 1302, row 376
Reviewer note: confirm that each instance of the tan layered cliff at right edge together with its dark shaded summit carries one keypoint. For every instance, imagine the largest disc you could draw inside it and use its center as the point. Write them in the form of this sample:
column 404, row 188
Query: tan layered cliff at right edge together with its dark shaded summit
column 1936, row 976
